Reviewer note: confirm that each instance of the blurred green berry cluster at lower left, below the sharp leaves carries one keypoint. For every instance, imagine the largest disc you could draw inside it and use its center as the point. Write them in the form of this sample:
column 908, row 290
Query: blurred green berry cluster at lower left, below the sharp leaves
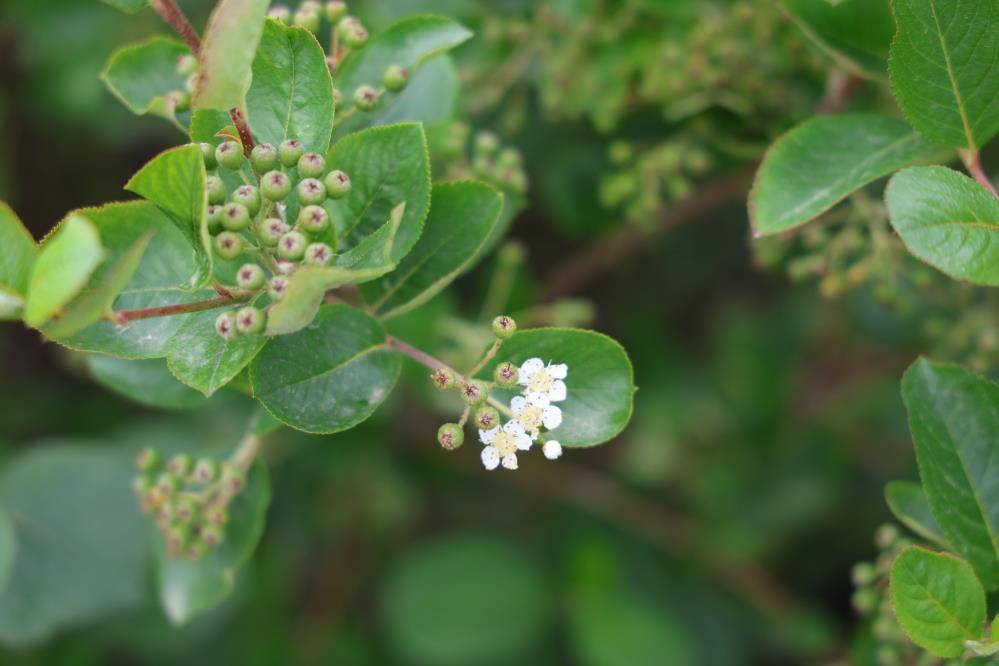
column 188, row 498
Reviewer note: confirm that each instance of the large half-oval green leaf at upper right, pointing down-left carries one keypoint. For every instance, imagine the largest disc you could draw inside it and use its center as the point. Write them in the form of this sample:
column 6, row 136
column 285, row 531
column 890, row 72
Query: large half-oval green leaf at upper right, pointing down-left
column 817, row 164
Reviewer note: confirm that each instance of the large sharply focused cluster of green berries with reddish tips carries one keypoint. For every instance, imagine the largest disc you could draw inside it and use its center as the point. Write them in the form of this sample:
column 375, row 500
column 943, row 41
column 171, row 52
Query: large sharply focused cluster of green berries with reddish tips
column 252, row 219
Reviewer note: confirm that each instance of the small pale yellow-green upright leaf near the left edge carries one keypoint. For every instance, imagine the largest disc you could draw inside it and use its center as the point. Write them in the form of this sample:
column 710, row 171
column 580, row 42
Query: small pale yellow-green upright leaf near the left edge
column 65, row 261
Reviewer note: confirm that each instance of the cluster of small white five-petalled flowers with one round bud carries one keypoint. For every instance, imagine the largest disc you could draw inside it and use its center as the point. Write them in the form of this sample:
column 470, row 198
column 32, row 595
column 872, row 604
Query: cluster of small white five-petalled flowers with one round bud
column 543, row 385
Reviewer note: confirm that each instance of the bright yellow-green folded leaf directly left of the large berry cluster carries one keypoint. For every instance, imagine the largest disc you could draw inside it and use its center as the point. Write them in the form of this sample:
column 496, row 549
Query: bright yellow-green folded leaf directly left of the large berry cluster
column 174, row 180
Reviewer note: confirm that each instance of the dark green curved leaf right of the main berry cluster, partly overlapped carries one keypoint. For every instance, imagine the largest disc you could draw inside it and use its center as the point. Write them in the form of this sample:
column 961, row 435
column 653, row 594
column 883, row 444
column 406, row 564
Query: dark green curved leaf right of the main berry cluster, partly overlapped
column 462, row 216
